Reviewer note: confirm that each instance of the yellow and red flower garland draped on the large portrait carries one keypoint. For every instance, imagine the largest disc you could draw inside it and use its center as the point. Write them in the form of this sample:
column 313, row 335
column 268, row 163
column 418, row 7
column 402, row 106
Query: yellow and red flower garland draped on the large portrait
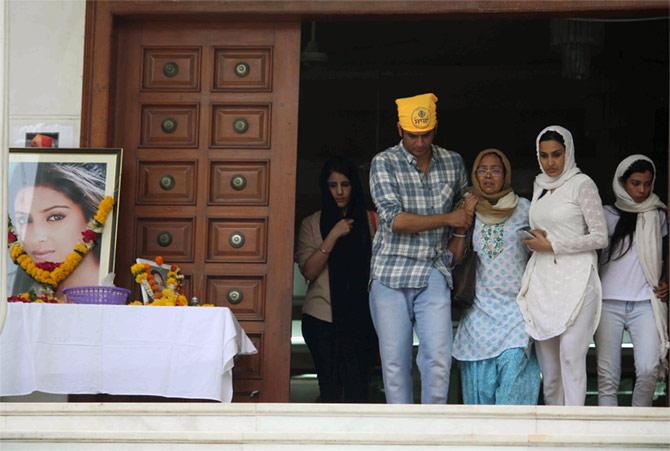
column 50, row 274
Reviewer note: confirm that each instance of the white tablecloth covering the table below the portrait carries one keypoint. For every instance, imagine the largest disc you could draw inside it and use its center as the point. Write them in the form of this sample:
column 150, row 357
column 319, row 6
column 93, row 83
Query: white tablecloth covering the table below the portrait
column 181, row 352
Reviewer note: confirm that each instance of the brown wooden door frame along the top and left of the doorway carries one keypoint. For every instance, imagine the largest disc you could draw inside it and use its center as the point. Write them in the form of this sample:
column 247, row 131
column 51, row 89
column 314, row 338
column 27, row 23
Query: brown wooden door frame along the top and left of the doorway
column 102, row 17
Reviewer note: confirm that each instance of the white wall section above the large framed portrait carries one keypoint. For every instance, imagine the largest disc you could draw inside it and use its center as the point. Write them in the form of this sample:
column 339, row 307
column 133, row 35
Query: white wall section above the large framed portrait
column 46, row 59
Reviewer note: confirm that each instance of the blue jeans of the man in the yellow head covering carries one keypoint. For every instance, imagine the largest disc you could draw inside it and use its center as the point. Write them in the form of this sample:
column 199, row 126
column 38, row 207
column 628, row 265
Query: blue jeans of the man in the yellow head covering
column 395, row 313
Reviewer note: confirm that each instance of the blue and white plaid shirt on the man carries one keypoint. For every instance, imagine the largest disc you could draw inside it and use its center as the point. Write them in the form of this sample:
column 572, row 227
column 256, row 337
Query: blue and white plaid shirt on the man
column 404, row 260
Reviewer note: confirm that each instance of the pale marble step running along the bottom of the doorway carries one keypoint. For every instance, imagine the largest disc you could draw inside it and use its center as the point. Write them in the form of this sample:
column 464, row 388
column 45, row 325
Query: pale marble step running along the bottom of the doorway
column 116, row 426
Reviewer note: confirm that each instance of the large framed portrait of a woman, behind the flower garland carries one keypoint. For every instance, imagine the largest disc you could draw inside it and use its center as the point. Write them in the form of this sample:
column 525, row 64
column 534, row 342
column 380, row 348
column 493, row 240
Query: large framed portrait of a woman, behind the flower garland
column 52, row 198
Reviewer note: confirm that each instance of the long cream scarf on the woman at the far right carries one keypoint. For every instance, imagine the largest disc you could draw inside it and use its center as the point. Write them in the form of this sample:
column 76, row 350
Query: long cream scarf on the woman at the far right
column 647, row 241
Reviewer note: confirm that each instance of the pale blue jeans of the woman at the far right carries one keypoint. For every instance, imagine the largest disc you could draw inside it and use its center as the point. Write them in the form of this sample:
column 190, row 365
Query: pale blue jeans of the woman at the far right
column 638, row 318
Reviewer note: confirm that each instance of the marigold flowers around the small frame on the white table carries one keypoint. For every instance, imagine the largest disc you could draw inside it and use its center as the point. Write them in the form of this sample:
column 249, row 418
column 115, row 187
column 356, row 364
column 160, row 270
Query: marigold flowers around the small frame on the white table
column 170, row 295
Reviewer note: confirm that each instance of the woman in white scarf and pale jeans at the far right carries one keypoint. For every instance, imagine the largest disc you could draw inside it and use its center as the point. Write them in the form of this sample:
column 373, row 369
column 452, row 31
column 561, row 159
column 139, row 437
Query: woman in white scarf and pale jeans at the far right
column 633, row 289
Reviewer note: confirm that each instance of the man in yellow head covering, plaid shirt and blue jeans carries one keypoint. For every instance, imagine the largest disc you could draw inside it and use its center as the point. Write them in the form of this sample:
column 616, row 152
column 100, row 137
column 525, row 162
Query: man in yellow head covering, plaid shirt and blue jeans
column 415, row 185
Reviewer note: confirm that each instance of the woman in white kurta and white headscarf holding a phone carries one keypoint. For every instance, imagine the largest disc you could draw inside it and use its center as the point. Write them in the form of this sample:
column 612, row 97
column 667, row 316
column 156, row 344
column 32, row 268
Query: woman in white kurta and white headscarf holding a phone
column 560, row 297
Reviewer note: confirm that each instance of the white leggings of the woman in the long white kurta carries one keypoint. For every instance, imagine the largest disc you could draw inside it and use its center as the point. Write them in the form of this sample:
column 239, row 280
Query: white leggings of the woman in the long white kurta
column 563, row 358
